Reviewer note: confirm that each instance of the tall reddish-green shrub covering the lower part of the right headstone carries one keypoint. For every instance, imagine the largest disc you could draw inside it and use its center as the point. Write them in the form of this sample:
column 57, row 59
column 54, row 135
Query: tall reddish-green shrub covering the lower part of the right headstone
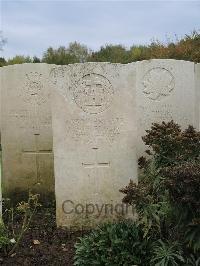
column 167, row 194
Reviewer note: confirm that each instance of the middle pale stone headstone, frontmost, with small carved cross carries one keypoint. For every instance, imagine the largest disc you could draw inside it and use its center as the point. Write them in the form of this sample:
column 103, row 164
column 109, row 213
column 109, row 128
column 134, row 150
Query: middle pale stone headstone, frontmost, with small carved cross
column 94, row 129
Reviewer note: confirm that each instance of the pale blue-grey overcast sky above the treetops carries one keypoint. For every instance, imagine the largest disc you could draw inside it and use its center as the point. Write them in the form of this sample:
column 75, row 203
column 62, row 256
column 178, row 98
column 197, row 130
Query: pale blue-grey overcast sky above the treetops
column 32, row 26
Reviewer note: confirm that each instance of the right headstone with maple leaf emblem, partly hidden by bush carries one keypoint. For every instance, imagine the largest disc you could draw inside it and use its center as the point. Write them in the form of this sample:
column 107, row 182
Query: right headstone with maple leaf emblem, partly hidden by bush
column 165, row 92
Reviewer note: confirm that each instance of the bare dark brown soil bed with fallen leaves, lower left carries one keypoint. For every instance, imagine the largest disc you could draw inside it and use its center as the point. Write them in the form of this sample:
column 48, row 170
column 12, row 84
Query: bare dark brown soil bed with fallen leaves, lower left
column 43, row 243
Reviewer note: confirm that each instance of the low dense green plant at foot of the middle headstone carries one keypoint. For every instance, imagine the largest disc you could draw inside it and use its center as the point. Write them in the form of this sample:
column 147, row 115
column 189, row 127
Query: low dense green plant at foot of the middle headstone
column 113, row 244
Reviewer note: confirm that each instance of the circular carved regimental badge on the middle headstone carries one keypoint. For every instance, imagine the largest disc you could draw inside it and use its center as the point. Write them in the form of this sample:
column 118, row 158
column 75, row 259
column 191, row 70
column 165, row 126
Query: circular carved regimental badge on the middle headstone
column 93, row 93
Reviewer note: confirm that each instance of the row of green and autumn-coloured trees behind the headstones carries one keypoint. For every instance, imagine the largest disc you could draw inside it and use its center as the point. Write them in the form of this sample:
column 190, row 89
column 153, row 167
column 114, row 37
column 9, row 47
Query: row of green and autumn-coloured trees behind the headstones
column 186, row 48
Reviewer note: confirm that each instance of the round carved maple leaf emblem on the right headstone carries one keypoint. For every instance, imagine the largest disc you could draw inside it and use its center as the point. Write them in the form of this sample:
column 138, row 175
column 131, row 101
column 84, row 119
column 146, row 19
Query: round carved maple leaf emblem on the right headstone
column 158, row 83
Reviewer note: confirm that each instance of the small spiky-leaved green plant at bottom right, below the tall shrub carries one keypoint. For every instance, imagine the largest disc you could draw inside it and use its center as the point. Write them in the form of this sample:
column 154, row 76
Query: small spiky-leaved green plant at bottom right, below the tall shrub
column 167, row 254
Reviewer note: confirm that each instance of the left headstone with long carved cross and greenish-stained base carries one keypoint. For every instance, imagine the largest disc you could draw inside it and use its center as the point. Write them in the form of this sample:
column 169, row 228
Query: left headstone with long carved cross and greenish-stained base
column 26, row 130
